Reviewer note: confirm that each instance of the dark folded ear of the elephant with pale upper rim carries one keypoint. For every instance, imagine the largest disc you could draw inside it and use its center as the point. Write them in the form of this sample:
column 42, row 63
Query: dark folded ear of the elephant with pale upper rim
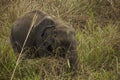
column 46, row 23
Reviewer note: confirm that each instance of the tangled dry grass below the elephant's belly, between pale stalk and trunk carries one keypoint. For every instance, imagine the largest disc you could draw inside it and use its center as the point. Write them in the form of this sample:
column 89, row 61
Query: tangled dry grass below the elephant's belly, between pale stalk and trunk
column 44, row 68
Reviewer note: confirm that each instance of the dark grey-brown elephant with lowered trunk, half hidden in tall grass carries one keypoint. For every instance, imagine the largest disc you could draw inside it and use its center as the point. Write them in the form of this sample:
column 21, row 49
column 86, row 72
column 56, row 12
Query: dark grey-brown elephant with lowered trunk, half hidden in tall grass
column 49, row 37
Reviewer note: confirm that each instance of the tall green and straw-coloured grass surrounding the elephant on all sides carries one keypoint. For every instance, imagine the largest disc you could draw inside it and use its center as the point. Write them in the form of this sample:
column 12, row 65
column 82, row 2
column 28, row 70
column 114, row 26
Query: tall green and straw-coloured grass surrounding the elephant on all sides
column 97, row 30
